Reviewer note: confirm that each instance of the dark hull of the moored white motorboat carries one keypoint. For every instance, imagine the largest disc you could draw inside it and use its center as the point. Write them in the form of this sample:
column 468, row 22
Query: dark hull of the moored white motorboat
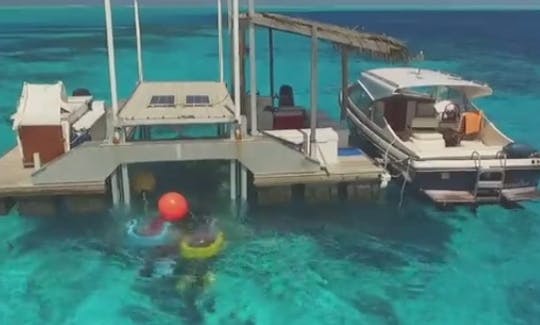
column 449, row 184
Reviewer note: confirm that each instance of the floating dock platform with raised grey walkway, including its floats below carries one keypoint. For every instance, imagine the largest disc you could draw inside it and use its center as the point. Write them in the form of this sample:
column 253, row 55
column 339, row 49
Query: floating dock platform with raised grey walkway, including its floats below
column 272, row 165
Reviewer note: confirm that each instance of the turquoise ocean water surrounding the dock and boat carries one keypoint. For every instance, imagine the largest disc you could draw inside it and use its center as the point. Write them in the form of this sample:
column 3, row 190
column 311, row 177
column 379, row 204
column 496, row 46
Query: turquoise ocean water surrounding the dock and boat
column 363, row 263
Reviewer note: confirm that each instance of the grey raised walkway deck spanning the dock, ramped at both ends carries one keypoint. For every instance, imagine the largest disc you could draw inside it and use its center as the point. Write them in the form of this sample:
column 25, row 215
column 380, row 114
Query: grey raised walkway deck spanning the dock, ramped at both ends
column 85, row 169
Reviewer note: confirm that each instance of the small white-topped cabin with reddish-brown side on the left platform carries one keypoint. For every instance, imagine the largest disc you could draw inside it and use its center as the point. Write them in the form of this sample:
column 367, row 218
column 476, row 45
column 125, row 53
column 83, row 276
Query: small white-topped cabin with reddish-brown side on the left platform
column 48, row 123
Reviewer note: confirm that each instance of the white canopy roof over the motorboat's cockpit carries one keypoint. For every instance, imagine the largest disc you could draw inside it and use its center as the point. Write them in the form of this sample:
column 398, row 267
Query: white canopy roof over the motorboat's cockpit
column 386, row 82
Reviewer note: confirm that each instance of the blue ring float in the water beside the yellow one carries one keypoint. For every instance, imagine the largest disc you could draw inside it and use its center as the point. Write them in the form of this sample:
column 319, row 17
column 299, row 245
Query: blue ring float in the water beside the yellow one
column 166, row 236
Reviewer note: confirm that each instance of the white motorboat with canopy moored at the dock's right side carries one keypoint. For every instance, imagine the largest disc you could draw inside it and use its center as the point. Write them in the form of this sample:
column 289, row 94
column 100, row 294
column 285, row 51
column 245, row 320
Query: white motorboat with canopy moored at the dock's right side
column 424, row 125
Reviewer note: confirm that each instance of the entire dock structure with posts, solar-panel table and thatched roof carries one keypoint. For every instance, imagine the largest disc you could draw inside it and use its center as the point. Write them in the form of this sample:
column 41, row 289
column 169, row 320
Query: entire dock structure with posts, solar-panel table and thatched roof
column 96, row 168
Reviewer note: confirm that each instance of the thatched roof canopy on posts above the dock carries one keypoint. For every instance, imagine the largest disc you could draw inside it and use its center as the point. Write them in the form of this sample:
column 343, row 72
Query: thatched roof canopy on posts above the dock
column 375, row 45
